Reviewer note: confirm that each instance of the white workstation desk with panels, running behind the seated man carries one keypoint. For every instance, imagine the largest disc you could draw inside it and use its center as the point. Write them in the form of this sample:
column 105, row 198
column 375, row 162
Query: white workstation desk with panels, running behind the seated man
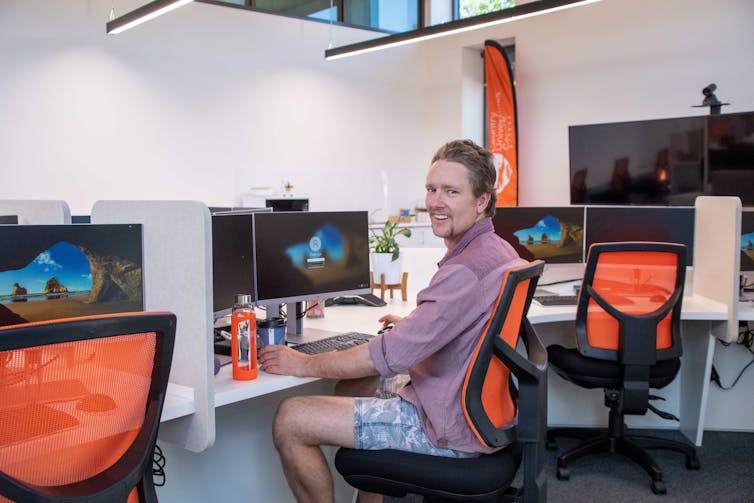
column 243, row 465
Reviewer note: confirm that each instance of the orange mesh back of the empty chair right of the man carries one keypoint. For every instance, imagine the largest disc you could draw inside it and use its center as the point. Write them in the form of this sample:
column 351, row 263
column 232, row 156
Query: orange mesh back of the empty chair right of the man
column 632, row 290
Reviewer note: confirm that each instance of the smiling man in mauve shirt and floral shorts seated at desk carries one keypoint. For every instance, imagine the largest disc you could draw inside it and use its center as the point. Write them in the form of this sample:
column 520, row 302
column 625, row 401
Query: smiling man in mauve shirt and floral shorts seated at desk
column 434, row 344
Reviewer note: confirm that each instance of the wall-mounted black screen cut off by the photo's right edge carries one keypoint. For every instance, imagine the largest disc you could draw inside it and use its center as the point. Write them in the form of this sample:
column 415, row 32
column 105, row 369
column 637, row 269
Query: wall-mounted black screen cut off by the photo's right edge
column 730, row 144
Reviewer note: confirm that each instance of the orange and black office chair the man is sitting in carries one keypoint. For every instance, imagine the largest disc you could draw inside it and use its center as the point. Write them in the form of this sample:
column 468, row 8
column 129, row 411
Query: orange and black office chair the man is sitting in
column 499, row 414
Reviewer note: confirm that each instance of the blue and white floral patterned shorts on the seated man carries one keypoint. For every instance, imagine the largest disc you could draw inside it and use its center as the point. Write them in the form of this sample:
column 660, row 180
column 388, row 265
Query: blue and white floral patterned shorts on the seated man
column 386, row 421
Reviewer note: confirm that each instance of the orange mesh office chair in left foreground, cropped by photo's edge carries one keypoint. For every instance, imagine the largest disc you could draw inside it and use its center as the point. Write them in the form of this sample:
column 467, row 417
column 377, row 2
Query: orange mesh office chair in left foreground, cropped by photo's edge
column 80, row 406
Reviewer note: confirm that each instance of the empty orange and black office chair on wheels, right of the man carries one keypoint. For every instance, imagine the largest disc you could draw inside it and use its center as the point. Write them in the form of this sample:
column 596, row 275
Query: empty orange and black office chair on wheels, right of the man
column 629, row 340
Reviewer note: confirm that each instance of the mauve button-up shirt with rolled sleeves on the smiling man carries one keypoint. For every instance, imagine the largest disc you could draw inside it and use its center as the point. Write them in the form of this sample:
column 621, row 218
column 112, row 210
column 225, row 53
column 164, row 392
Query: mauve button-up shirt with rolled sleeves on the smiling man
column 436, row 341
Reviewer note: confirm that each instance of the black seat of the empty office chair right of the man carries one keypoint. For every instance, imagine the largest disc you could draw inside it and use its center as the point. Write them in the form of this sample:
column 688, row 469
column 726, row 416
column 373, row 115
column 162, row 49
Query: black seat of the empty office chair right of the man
column 593, row 373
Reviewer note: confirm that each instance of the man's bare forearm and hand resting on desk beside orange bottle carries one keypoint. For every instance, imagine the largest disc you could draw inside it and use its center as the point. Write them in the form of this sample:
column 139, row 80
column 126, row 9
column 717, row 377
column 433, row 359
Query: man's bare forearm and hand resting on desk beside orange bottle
column 348, row 364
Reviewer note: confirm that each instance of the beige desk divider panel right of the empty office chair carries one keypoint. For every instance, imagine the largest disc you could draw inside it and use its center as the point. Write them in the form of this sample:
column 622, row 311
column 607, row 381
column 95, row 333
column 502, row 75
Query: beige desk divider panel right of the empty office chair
column 717, row 241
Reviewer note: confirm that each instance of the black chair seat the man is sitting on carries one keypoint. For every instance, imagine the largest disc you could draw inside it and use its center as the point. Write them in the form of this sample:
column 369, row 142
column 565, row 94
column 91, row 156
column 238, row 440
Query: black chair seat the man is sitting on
column 397, row 473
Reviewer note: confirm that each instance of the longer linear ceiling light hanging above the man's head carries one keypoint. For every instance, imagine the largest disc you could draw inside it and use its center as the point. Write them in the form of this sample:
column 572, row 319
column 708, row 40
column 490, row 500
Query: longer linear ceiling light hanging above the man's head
column 523, row 11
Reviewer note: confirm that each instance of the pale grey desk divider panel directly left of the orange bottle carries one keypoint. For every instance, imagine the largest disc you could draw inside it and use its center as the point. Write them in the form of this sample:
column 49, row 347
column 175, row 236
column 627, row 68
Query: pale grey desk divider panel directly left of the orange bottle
column 178, row 278
